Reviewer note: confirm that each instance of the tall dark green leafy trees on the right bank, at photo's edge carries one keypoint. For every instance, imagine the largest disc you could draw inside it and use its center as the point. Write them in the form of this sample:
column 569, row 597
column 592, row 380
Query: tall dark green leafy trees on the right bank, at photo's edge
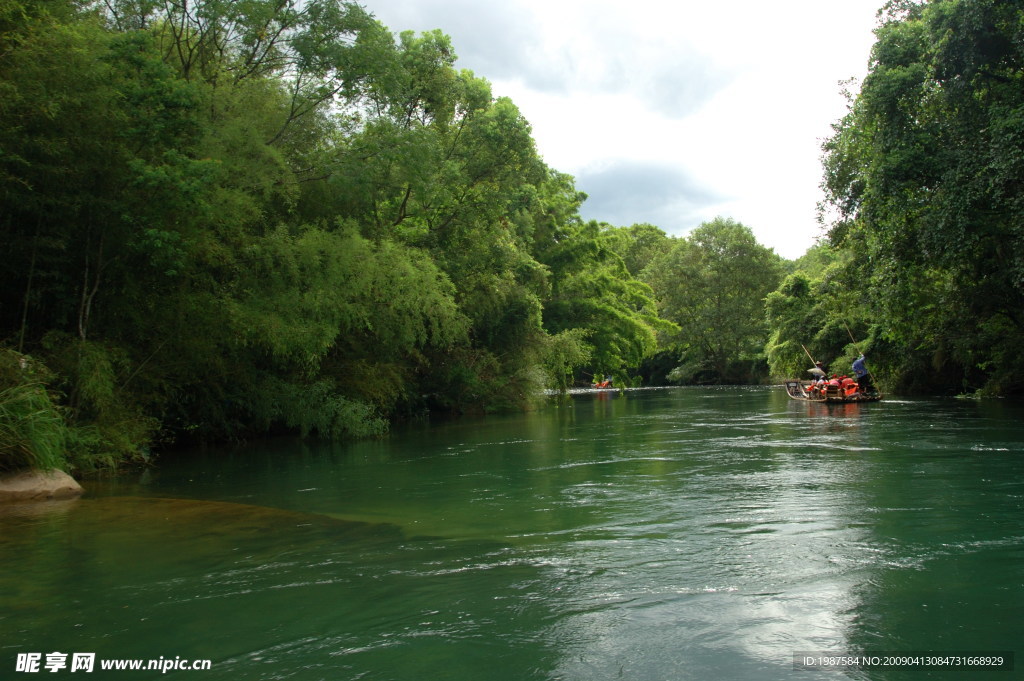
column 924, row 176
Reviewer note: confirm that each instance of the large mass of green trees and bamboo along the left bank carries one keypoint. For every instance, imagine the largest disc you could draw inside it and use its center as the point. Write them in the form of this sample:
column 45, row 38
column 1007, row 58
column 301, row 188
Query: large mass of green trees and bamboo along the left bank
column 225, row 220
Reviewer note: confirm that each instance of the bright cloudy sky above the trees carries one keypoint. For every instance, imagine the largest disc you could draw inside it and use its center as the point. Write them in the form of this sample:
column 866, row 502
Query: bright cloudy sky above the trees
column 670, row 113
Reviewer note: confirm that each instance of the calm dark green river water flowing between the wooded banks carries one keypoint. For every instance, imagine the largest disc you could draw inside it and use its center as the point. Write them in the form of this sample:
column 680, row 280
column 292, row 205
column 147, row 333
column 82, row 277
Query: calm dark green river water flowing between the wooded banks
column 649, row 535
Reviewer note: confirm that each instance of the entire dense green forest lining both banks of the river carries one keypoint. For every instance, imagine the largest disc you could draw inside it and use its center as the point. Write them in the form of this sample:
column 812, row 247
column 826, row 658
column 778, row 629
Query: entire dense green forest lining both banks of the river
column 227, row 220
